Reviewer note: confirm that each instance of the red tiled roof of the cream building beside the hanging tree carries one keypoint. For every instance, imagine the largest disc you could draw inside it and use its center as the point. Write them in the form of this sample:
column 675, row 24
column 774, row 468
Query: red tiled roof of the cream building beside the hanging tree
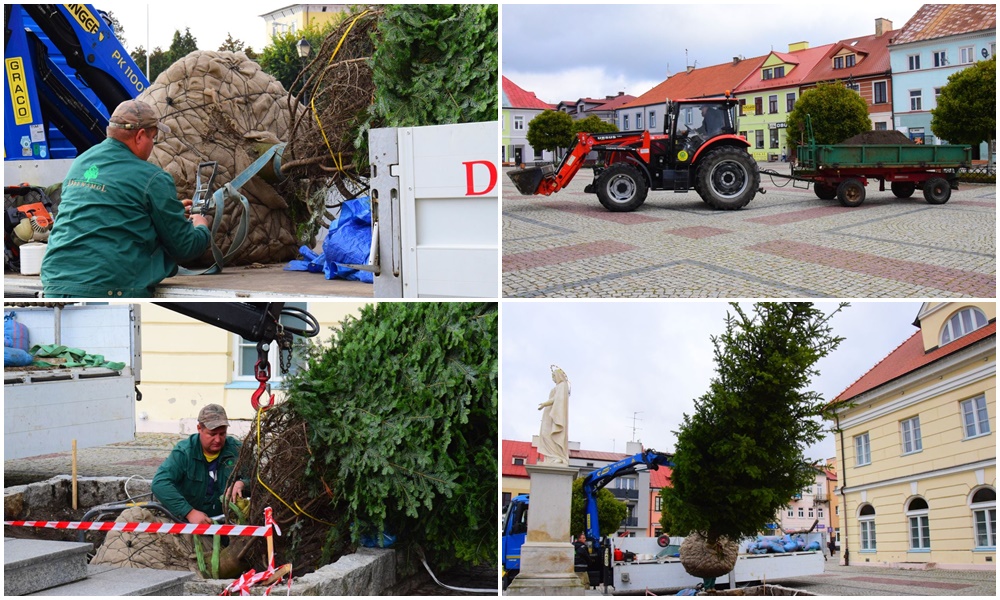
column 909, row 357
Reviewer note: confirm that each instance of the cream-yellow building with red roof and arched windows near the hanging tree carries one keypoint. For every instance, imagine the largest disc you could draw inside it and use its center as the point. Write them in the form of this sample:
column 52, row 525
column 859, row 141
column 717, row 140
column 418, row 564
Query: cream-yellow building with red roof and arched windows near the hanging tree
column 916, row 446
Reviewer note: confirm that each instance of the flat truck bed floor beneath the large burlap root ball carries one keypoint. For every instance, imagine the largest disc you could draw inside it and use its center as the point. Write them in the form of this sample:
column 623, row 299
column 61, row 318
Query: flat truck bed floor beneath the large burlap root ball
column 234, row 282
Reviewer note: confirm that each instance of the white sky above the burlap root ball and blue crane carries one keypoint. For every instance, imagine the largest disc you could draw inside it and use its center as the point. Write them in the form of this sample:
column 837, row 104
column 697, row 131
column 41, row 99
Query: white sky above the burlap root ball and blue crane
column 210, row 22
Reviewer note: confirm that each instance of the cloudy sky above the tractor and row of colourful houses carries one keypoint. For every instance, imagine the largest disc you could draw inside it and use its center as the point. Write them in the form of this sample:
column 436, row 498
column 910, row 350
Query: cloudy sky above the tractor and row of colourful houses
column 571, row 50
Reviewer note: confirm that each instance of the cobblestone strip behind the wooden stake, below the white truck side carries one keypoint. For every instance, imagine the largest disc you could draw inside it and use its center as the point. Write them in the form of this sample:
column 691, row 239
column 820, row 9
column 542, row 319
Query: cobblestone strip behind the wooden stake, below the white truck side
column 140, row 457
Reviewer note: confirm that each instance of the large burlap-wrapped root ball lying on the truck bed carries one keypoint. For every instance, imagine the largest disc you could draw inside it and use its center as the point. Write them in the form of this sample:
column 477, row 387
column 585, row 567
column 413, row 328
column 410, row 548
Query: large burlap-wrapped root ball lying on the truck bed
column 222, row 107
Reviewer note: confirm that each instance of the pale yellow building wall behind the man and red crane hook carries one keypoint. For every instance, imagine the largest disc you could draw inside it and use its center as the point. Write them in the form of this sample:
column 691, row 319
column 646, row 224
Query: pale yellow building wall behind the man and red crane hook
column 187, row 364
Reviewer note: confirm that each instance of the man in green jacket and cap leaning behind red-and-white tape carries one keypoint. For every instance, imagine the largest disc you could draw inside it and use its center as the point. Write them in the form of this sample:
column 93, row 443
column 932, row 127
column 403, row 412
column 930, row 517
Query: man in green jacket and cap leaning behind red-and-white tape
column 191, row 481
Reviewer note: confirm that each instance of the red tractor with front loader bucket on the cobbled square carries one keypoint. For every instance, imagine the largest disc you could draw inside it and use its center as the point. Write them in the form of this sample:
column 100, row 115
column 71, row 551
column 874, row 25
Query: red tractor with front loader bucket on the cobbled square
column 698, row 149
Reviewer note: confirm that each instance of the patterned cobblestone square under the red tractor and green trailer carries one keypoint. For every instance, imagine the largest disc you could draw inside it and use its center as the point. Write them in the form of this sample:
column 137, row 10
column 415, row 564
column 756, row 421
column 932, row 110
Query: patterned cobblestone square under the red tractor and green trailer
column 786, row 243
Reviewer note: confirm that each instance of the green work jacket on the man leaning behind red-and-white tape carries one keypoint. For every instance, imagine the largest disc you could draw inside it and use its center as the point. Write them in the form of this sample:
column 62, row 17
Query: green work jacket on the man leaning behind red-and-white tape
column 181, row 482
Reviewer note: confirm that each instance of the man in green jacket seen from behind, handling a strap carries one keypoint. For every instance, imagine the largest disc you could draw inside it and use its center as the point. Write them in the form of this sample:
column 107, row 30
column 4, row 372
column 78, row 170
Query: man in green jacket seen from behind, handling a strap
column 120, row 229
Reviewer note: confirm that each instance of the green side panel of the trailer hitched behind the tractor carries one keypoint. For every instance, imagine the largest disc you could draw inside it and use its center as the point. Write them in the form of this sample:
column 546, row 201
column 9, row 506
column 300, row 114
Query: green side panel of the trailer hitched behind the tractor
column 845, row 156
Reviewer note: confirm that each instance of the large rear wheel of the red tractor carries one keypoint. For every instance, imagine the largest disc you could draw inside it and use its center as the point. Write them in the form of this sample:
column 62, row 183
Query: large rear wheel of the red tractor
column 727, row 178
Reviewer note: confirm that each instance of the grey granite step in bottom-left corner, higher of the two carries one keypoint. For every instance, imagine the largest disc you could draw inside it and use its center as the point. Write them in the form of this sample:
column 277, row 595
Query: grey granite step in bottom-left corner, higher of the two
column 33, row 565
